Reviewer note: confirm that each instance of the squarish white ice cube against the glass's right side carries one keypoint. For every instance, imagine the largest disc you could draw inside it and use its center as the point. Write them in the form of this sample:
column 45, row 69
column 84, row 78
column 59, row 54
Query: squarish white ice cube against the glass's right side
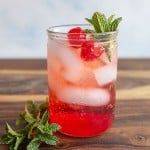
column 106, row 74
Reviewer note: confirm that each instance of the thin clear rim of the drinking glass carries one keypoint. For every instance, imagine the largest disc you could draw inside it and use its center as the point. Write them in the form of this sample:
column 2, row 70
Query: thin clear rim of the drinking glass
column 51, row 31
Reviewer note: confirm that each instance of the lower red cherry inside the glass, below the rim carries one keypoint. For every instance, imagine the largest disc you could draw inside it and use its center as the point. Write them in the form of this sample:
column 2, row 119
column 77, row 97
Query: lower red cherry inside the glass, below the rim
column 91, row 50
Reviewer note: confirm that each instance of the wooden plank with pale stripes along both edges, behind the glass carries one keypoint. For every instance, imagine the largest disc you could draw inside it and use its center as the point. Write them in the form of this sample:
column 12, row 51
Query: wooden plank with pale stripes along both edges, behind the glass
column 18, row 85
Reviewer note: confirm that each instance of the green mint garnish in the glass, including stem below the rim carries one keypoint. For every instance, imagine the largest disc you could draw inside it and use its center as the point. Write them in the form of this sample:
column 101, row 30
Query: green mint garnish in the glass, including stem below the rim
column 102, row 24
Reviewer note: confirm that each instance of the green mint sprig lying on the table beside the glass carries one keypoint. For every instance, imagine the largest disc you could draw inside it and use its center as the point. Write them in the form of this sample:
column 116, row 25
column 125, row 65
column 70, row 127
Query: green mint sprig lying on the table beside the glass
column 34, row 129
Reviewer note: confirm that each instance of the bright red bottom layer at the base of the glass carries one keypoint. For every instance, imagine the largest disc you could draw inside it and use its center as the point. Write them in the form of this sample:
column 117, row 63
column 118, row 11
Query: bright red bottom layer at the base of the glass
column 87, row 127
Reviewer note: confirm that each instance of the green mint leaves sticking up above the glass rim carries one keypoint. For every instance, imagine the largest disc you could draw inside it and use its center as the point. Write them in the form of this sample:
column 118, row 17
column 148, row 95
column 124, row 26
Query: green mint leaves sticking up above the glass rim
column 103, row 24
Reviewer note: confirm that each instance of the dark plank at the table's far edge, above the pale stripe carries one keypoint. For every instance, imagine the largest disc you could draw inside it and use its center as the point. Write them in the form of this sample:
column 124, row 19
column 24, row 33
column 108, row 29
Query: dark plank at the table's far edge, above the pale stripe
column 37, row 64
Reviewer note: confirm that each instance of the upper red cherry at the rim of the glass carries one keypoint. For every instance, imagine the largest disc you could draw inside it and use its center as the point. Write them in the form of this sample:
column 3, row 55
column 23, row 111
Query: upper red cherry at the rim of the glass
column 76, row 37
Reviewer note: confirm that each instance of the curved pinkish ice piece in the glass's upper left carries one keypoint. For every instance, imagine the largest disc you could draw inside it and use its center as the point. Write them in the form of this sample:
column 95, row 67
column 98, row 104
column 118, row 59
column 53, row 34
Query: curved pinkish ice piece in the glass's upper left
column 71, row 62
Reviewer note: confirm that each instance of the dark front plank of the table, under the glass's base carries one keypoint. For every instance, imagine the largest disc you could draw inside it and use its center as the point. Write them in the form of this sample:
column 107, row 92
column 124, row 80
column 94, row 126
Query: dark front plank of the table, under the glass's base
column 129, row 131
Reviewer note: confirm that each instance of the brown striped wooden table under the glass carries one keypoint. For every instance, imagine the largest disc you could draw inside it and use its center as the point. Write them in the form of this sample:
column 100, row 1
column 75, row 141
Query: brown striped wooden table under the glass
column 21, row 80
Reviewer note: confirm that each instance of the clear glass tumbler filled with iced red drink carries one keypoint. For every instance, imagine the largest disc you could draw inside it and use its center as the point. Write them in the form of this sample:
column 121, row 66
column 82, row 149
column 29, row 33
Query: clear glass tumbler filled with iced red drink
column 81, row 90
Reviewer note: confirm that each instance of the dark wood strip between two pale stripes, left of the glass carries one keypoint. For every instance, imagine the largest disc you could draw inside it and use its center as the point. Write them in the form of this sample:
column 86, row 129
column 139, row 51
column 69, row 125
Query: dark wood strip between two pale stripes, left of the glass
column 23, row 84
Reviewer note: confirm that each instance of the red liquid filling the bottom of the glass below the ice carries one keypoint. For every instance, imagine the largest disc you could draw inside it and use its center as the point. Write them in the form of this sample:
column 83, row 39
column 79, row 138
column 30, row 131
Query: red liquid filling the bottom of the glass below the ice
column 82, row 121
